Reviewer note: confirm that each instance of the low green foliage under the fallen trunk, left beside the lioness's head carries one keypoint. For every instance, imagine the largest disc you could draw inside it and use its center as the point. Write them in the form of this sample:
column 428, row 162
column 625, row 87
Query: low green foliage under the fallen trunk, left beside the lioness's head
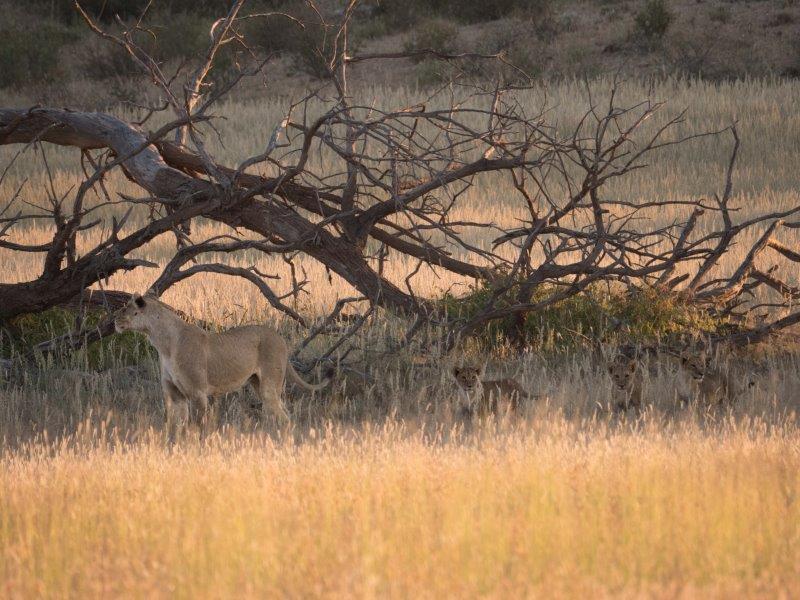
column 23, row 333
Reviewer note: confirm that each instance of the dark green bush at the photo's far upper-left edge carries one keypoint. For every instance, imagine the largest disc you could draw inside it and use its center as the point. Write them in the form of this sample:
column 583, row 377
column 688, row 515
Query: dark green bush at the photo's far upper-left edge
column 31, row 54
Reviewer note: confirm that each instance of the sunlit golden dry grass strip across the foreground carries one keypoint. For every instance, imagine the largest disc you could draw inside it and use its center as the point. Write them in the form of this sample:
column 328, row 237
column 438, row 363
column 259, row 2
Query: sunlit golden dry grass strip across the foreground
column 563, row 510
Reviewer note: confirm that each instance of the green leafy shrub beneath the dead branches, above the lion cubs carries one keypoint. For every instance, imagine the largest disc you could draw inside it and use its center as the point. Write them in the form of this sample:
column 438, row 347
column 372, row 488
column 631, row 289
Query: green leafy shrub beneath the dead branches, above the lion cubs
column 645, row 315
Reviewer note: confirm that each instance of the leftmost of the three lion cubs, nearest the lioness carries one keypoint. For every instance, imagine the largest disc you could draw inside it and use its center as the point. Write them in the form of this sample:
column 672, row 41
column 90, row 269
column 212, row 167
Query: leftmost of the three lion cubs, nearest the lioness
column 479, row 397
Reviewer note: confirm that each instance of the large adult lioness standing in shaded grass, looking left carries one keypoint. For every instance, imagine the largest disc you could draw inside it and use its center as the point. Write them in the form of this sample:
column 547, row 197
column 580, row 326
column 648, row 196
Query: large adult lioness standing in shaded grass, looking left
column 197, row 364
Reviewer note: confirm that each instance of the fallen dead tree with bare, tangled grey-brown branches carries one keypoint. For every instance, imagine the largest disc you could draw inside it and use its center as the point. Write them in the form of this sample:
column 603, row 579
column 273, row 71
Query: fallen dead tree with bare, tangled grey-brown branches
column 400, row 174
